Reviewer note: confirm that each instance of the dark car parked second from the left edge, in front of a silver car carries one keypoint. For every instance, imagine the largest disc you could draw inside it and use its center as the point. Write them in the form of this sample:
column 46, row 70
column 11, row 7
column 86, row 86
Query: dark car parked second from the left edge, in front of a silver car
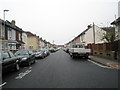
column 27, row 57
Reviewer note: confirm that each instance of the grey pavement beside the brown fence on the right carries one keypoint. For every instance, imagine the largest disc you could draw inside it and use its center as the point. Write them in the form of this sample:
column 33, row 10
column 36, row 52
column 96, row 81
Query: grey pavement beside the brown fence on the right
column 110, row 63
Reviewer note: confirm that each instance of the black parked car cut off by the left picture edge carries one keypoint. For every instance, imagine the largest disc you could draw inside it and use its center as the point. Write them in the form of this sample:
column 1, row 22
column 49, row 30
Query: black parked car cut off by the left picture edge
column 9, row 61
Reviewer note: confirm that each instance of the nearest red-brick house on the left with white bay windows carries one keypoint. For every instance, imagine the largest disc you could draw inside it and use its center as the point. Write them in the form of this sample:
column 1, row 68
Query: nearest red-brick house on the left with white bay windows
column 14, row 36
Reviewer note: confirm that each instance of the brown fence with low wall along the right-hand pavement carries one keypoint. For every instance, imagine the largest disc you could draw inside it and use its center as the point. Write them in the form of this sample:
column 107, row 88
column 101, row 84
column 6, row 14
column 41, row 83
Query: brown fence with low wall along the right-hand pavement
column 106, row 49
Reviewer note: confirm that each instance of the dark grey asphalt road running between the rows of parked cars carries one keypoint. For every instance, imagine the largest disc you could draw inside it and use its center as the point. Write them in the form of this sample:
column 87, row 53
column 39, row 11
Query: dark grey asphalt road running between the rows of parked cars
column 59, row 70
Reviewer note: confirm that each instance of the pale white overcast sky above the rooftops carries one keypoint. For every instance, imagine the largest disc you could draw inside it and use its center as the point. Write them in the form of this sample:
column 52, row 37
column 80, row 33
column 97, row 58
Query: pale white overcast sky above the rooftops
column 59, row 20
